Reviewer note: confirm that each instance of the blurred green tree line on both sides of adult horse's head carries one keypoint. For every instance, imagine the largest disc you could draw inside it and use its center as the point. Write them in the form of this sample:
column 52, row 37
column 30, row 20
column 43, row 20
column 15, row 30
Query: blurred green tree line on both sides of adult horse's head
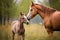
column 9, row 9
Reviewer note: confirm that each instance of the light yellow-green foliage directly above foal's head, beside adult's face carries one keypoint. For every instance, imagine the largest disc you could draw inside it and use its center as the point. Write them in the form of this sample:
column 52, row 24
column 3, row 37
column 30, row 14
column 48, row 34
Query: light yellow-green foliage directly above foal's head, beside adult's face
column 22, row 7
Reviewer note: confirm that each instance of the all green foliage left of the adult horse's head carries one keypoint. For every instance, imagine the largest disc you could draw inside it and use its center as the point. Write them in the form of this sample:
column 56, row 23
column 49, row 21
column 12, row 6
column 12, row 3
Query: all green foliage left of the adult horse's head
column 9, row 9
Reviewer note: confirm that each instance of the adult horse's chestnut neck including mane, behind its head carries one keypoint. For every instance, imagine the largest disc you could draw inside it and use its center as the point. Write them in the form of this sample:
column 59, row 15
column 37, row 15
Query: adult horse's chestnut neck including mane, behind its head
column 44, row 11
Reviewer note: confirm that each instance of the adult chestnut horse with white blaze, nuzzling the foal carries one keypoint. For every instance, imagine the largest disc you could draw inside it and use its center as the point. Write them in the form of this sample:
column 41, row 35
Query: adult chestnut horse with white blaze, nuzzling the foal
column 50, row 16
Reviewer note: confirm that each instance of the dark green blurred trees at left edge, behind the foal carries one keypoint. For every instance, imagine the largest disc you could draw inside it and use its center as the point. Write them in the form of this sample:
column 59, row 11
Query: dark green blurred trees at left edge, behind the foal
column 7, row 10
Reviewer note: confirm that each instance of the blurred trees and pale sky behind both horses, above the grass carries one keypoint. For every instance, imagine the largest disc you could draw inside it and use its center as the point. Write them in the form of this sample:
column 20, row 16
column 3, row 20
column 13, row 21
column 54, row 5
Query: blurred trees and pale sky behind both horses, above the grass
column 9, row 9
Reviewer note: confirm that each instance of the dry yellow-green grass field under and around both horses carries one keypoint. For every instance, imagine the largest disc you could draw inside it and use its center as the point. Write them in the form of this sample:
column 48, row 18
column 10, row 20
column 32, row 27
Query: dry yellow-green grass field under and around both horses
column 32, row 32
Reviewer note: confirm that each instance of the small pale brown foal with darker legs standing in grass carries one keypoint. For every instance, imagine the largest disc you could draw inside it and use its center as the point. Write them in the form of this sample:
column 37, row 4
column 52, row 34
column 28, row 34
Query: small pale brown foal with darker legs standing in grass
column 18, row 27
